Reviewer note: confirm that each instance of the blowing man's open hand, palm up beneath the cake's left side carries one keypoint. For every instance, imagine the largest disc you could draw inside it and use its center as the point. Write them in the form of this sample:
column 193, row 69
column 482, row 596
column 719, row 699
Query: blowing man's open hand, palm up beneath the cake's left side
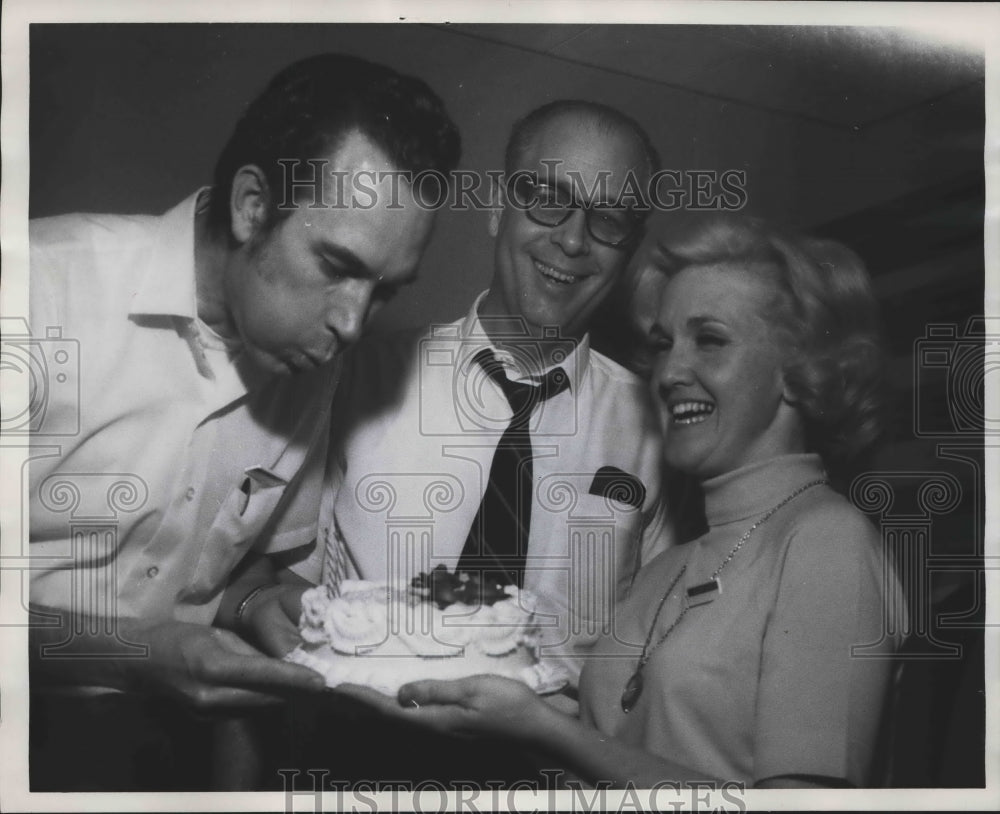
column 208, row 667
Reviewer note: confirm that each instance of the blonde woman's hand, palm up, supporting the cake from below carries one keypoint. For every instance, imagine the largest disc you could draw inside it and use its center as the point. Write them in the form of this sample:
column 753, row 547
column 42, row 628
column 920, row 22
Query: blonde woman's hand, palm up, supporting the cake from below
column 479, row 706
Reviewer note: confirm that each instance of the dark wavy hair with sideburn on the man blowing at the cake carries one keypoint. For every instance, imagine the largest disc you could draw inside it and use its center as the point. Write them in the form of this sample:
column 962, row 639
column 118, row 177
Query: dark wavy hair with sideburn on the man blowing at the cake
column 310, row 106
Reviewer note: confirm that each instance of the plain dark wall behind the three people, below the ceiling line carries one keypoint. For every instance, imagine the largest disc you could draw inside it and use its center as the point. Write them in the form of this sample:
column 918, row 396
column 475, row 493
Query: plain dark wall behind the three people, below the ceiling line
column 129, row 118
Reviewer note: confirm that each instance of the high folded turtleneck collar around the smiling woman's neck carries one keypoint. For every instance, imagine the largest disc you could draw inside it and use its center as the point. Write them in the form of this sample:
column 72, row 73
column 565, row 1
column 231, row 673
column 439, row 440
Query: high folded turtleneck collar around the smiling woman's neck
column 754, row 489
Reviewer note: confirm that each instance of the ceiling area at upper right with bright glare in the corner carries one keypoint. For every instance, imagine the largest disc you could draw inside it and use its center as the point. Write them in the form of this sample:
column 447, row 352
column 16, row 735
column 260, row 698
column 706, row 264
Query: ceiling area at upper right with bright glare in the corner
column 843, row 77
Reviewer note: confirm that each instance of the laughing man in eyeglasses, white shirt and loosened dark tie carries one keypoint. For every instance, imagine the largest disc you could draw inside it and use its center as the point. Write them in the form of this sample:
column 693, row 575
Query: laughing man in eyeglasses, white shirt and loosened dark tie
column 501, row 444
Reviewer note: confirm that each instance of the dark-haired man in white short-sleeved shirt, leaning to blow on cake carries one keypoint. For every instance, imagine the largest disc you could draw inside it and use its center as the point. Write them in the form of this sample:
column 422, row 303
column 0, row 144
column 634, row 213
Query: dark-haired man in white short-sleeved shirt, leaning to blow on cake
column 208, row 338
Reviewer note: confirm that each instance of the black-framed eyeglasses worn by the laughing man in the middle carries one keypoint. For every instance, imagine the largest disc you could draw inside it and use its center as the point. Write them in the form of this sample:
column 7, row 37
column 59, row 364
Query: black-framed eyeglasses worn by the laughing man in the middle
column 550, row 205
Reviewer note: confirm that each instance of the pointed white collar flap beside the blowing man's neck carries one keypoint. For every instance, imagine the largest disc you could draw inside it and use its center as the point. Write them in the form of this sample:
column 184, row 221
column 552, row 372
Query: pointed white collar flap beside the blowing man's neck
column 168, row 282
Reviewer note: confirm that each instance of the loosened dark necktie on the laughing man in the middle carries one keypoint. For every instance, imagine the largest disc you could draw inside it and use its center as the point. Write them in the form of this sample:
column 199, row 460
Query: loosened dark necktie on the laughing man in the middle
column 498, row 540
